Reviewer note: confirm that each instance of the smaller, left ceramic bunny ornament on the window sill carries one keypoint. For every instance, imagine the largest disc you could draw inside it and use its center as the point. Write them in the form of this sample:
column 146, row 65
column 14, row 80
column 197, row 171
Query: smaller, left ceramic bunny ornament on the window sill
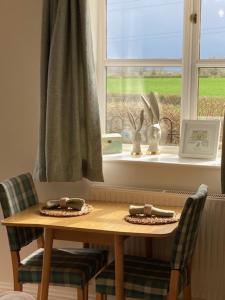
column 136, row 135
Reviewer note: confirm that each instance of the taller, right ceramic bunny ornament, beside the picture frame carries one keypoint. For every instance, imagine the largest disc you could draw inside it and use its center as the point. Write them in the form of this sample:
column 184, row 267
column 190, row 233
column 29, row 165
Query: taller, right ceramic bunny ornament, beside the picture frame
column 154, row 132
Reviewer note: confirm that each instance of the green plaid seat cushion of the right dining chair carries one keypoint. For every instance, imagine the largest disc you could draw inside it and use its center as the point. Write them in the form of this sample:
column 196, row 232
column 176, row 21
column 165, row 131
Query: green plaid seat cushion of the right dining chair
column 143, row 278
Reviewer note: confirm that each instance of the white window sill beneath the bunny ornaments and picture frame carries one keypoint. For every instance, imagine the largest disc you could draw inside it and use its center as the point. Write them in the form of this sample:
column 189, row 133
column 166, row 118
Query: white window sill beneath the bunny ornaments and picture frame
column 163, row 159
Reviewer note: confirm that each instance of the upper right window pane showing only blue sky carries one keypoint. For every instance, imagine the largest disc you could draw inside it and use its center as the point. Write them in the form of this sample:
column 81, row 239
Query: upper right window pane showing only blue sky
column 212, row 43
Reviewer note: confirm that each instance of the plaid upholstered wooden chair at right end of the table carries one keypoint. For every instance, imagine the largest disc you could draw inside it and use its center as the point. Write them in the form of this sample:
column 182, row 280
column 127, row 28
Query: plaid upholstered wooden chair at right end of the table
column 145, row 278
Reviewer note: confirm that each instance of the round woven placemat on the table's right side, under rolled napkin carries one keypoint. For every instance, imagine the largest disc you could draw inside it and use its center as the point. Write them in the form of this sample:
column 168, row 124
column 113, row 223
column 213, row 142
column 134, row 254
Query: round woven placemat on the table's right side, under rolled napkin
column 153, row 220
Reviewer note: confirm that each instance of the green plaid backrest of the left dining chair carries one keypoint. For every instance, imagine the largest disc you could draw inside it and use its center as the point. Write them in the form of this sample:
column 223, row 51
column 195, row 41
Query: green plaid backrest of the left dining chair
column 17, row 194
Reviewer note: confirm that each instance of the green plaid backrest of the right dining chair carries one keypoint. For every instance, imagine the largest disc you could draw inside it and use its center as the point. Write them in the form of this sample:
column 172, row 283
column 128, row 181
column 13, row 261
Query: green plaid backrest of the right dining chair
column 186, row 234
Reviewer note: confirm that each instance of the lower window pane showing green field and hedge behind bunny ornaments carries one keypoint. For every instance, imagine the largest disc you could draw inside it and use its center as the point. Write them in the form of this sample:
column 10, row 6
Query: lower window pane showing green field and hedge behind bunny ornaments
column 125, row 85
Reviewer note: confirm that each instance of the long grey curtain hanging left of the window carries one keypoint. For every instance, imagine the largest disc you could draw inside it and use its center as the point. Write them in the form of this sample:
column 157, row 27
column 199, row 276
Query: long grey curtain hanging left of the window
column 70, row 138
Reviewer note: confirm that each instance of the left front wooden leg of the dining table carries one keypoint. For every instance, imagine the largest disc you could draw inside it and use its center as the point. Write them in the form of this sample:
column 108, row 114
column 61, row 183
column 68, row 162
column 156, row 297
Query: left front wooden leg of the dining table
column 46, row 263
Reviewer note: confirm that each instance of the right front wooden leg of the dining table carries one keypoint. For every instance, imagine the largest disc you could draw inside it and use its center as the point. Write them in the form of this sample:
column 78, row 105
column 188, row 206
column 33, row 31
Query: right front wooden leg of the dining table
column 119, row 280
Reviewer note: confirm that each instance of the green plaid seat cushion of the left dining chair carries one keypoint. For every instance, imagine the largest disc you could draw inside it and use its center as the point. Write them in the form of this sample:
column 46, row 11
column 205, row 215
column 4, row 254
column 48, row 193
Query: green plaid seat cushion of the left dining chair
column 69, row 267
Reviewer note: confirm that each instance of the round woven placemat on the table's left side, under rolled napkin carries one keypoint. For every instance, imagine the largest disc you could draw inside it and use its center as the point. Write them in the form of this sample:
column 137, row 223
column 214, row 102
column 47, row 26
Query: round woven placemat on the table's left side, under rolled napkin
column 66, row 212
